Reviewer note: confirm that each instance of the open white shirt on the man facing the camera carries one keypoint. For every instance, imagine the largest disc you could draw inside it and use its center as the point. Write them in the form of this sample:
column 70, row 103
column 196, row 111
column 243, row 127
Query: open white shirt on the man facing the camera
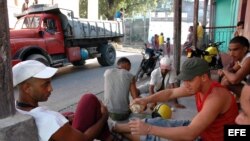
column 156, row 78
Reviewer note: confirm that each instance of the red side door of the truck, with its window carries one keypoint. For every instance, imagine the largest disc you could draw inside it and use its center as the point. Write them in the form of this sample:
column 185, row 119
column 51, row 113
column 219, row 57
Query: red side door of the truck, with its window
column 53, row 35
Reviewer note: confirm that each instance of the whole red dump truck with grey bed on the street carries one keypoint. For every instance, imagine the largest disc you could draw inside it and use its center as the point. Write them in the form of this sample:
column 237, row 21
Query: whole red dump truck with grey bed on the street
column 53, row 35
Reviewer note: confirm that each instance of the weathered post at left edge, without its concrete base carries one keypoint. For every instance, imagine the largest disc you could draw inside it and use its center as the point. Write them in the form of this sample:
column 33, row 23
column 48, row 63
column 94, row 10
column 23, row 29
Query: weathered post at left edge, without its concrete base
column 7, row 107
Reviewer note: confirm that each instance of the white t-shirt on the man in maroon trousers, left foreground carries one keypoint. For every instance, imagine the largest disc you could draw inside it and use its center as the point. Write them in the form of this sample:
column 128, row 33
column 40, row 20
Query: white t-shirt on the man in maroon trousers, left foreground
column 47, row 121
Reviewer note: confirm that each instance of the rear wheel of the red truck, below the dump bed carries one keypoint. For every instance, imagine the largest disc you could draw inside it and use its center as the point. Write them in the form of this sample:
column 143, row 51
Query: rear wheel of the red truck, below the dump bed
column 108, row 55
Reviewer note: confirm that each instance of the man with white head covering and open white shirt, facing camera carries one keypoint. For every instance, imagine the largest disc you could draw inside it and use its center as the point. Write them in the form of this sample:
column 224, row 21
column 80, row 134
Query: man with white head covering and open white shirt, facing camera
column 162, row 78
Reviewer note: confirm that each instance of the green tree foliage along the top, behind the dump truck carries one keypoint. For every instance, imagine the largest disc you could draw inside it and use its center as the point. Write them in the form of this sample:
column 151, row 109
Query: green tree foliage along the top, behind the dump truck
column 107, row 8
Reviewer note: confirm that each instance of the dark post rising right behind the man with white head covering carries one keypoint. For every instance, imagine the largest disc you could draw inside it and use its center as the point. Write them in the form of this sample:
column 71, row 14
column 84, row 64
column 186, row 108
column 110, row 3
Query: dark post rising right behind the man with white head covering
column 177, row 34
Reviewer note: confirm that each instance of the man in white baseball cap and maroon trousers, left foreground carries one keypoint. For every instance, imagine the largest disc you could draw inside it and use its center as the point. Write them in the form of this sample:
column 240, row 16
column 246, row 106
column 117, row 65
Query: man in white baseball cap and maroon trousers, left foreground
column 33, row 80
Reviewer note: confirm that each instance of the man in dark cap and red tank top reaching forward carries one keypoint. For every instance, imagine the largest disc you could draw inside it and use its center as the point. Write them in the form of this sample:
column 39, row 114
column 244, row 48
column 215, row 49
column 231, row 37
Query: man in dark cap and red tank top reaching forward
column 215, row 104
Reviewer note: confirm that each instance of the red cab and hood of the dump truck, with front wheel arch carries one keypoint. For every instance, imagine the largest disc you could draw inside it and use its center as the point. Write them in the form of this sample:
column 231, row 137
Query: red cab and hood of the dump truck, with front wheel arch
column 38, row 34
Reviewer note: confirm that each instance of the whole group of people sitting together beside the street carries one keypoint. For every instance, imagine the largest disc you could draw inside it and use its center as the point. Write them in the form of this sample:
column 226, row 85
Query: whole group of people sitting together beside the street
column 215, row 101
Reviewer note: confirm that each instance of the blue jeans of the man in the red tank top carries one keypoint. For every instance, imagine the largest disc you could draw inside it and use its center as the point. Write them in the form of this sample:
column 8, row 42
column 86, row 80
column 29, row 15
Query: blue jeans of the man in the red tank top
column 162, row 123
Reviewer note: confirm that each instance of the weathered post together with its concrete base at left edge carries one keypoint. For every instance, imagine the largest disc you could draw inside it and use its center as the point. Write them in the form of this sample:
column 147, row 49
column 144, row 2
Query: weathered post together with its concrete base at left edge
column 13, row 126
